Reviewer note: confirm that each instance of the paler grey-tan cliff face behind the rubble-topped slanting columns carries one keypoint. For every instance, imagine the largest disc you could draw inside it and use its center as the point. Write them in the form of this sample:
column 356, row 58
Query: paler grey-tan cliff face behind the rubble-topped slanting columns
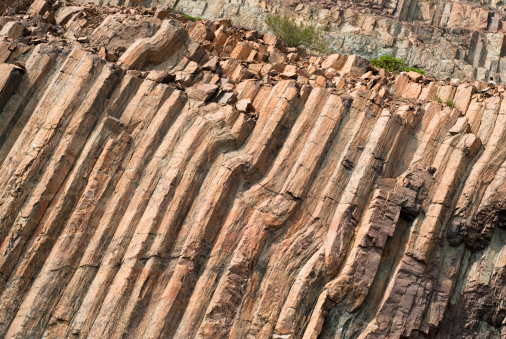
column 446, row 38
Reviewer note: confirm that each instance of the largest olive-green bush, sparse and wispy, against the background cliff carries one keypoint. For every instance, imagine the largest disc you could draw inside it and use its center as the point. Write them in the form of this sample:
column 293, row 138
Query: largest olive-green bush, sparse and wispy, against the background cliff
column 297, row 34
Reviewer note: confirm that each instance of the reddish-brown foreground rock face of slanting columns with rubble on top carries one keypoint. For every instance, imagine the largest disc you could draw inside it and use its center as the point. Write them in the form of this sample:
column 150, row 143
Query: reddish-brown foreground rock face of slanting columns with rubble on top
column 184, row 183
